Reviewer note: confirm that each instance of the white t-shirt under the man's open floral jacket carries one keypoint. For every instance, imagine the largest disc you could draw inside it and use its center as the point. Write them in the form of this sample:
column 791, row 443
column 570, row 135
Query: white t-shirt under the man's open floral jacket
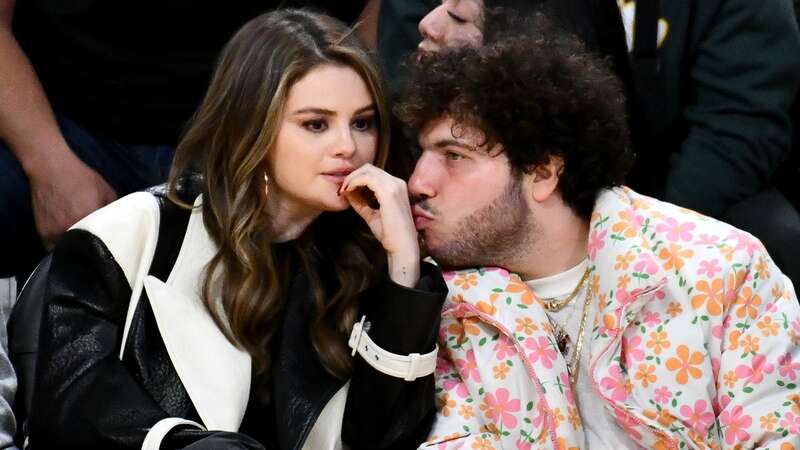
column 599, row 426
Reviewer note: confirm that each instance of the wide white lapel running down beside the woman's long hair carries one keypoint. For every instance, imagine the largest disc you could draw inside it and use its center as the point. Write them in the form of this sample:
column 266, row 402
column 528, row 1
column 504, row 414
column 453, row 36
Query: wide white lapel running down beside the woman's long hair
column 214, row 372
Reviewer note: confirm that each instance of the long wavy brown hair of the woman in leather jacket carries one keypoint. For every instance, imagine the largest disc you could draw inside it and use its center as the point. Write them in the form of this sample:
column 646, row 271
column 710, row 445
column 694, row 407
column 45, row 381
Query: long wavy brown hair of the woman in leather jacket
column 224, row 151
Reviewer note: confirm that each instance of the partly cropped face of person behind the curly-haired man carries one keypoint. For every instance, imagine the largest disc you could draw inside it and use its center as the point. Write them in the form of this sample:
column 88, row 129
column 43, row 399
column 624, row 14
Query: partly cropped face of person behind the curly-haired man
column 454, row 23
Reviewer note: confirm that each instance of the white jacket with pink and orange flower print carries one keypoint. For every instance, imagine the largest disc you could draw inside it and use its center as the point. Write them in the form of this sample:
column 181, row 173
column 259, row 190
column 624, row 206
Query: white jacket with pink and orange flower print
column 696, row 343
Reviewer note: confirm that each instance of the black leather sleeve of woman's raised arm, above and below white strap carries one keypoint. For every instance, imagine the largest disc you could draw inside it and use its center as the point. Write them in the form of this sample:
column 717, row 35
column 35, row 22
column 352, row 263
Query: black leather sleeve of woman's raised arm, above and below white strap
column 385, row 412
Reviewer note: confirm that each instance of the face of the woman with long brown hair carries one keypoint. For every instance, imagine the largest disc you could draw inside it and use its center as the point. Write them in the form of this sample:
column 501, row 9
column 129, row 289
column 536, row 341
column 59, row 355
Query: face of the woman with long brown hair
column 328, row 130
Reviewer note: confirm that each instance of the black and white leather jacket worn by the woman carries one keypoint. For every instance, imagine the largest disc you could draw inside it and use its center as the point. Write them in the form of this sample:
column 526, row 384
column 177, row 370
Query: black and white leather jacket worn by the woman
column 178, row 382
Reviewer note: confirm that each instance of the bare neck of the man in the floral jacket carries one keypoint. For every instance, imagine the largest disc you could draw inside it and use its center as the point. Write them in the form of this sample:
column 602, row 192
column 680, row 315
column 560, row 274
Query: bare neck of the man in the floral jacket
column 560, row 244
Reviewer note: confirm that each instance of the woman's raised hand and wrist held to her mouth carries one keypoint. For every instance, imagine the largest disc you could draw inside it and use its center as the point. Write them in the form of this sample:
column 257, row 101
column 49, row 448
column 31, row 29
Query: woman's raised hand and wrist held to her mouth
column 388, row 215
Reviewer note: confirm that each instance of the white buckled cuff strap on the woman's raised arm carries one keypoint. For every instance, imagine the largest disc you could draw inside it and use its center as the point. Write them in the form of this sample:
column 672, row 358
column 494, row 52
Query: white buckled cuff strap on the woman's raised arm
column 408, row 367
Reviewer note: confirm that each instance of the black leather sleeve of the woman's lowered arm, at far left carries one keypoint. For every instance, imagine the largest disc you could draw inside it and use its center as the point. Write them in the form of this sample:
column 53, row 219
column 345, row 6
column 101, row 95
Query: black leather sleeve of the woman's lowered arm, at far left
column 84, row 397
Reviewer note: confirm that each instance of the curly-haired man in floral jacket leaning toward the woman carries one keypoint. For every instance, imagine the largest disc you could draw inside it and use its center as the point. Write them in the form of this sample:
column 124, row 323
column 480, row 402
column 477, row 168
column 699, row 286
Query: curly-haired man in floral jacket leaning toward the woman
column 582, row 314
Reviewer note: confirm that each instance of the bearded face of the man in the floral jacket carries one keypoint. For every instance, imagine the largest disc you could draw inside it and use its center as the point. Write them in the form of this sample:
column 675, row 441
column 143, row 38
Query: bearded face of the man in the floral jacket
column 469, row 208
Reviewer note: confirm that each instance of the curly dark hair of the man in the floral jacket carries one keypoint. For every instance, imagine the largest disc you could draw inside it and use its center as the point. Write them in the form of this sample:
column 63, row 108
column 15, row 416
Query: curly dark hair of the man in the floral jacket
column 540, row 94
